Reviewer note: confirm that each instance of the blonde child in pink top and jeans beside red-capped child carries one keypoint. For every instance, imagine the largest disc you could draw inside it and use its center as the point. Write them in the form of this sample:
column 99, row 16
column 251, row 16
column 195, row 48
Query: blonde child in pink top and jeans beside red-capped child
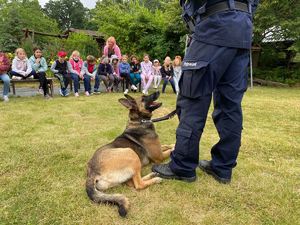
column 76, row 63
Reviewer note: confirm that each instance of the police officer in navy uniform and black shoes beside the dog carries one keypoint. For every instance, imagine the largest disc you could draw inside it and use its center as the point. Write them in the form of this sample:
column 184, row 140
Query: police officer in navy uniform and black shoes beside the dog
column 214, row 67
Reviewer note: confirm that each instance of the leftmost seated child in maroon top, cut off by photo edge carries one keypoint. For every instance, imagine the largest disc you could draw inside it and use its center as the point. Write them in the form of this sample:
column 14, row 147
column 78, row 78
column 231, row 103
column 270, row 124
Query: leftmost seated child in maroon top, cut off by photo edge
column 4, row 67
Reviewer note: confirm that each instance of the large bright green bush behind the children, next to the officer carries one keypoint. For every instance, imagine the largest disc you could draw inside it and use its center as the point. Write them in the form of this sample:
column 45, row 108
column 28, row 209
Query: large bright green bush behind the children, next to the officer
column 139, row 30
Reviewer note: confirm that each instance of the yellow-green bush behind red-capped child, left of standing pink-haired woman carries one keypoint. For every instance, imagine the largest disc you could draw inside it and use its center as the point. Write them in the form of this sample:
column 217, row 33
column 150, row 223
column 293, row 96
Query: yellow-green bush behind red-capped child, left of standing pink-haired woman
column 86, row 45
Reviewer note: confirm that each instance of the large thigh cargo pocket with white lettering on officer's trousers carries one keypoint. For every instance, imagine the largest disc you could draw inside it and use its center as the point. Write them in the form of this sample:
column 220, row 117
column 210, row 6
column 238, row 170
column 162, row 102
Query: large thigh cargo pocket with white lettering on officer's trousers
column 191, row 82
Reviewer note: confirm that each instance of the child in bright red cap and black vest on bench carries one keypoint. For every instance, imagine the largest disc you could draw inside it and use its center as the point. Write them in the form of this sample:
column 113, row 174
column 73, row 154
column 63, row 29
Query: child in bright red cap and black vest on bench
column 62, row 69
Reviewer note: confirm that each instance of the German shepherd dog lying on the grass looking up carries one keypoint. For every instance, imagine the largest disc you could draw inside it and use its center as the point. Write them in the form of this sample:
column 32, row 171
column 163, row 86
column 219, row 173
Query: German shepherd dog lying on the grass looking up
column 121, row 161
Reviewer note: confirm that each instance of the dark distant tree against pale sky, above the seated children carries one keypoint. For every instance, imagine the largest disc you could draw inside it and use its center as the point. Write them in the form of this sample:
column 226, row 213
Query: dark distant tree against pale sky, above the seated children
column 67, row 13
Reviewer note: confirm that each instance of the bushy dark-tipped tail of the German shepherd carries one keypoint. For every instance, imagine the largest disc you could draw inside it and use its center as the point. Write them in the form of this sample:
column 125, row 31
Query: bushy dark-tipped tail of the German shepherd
column 99, row 197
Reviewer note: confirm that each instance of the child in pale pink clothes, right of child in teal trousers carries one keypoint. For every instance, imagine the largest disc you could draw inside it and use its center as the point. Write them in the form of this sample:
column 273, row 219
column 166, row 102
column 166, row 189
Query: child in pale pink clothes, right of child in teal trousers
column 147, row 73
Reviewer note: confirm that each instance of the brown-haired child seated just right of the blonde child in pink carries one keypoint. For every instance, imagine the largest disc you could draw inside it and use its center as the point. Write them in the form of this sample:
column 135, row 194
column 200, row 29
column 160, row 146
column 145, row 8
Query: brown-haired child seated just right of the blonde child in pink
column 89, row 72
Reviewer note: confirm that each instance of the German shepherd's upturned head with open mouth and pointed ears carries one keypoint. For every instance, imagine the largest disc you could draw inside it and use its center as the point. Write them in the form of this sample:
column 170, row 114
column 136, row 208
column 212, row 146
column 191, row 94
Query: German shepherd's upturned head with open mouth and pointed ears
column 141, row 107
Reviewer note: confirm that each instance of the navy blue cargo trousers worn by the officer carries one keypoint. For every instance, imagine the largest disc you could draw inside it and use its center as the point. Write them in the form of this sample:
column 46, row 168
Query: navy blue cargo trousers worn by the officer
column 220, row 73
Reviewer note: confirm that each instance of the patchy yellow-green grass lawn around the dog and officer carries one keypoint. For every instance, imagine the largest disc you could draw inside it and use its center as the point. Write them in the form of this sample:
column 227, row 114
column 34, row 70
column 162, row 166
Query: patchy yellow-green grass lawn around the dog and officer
column 45, row 146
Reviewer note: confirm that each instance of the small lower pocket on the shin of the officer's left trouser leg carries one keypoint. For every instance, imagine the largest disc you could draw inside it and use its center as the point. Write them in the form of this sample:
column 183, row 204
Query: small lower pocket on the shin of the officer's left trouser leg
column 183, row 137
